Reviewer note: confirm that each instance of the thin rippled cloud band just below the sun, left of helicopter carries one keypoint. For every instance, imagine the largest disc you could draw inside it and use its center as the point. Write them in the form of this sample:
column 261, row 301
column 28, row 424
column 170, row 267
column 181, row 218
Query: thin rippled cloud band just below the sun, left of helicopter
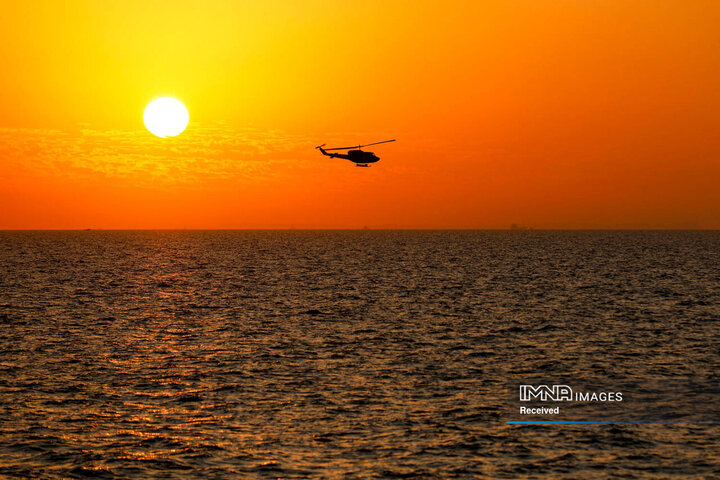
column 200, row 154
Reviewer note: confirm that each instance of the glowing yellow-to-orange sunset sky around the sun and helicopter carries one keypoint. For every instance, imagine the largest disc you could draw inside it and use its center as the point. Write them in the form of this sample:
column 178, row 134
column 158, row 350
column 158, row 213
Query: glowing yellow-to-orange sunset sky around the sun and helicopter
column 548, row 114
